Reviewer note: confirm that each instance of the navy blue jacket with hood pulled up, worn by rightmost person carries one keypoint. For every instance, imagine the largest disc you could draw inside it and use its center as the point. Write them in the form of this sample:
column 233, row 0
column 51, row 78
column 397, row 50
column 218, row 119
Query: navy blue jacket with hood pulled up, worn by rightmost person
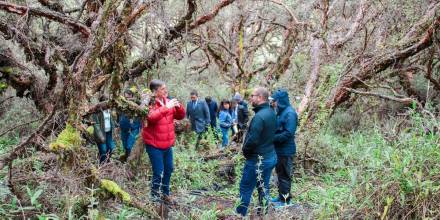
column 287, row 121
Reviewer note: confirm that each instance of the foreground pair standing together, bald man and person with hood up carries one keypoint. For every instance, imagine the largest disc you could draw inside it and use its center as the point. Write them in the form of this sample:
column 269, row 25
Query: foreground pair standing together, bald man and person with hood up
column 268, row 144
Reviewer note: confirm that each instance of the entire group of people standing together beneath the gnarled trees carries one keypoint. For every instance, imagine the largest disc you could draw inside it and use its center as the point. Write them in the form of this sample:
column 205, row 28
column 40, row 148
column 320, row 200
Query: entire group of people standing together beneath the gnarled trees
column 269, row 140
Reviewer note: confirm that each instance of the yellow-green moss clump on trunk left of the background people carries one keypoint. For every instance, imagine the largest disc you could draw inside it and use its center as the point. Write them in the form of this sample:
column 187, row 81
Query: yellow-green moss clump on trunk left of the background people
column 68, row 139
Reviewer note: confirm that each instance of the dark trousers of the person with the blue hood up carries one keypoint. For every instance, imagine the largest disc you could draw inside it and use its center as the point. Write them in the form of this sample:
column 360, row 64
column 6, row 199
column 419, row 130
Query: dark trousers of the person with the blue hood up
column 284, row 169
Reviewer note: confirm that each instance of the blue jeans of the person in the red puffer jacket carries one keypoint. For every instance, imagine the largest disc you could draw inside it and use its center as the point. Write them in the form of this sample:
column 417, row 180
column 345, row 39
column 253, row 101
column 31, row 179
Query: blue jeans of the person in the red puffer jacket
column 162, row 163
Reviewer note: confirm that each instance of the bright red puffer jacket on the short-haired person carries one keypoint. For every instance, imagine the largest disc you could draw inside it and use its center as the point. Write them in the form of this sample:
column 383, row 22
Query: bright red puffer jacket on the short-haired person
column 159, row 132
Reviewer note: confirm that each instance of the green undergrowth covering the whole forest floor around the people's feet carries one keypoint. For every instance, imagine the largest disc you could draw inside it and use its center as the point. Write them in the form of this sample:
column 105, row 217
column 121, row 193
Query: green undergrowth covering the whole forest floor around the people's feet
column 379, row 170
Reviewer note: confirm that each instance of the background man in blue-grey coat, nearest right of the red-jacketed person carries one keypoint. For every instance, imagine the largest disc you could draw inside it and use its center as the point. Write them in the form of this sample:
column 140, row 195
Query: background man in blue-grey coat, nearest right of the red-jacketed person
column 197, row 112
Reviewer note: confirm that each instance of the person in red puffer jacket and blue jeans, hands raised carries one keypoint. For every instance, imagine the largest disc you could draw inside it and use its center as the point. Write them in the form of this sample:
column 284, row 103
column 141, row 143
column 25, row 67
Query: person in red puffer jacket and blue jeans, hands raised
column 159, row 138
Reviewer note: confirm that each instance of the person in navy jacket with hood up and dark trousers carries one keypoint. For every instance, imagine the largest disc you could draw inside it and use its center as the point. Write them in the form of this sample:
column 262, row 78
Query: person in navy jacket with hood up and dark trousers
column 284, row 142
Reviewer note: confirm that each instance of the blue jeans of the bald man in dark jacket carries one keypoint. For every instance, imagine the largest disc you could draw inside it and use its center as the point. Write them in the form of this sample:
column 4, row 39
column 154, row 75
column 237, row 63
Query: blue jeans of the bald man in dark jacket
column 250, row 180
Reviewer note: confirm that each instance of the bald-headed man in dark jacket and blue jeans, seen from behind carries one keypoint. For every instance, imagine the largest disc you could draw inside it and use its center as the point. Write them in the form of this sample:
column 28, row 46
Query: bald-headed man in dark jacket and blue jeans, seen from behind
column 259, row 151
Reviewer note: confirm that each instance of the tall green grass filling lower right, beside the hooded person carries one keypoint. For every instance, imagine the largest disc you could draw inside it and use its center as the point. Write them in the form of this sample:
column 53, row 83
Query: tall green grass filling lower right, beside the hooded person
column 377, row 172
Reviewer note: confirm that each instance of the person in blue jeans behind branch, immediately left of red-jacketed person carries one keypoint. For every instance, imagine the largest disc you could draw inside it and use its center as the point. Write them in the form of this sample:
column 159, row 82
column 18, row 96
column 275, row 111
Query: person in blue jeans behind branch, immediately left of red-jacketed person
column 129, row 126
